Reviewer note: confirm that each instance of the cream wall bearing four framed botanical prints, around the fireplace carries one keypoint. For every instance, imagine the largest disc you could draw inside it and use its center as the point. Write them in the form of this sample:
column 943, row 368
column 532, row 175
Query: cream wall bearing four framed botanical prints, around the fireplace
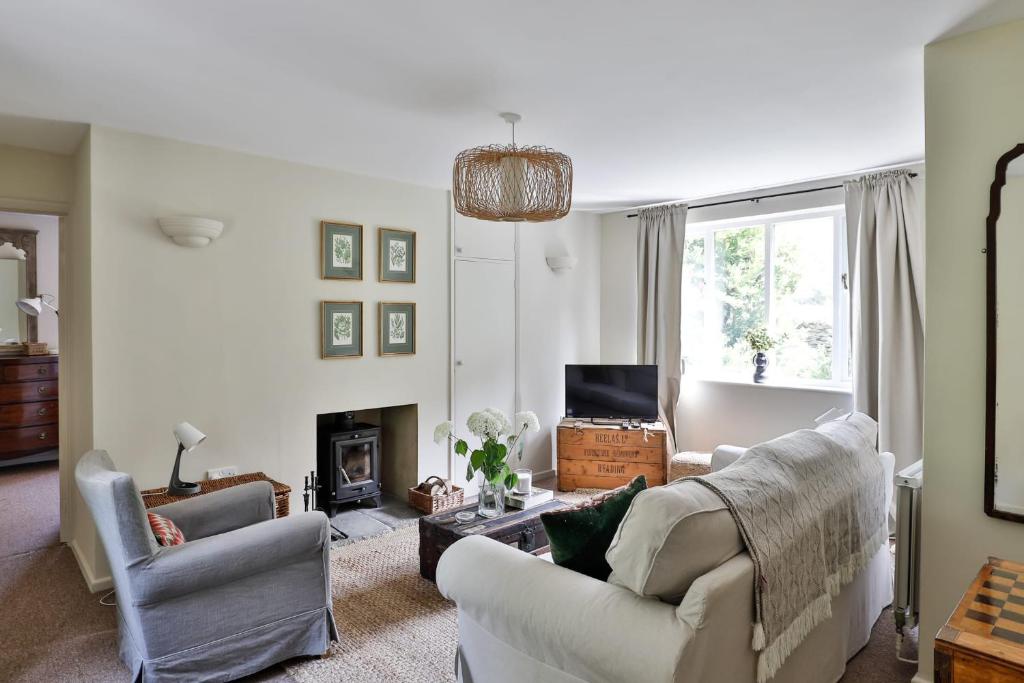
column 228, row 337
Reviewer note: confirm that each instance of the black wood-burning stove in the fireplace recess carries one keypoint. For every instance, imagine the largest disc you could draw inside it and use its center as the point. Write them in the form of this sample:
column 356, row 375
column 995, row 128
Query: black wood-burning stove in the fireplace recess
column 349, row 464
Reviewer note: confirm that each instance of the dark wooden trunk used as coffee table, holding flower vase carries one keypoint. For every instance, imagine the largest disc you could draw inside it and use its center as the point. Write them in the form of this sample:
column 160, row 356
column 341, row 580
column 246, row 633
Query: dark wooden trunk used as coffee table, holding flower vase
column 520, row 529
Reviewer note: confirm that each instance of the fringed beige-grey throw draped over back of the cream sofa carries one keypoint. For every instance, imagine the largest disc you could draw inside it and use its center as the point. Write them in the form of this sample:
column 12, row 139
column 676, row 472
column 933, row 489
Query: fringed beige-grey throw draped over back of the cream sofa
column 810, row 509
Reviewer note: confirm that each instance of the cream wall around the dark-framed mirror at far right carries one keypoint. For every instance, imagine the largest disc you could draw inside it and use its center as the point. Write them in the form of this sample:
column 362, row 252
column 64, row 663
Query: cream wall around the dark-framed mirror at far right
column 974, row 109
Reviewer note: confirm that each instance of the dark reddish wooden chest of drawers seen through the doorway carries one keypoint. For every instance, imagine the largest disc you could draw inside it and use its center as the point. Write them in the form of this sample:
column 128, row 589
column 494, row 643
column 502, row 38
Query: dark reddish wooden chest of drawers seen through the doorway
column 28, row 406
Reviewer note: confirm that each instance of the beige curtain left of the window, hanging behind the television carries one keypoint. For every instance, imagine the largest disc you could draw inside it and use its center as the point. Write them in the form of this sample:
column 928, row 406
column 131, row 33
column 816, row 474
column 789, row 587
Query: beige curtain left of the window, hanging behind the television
column 661, row 238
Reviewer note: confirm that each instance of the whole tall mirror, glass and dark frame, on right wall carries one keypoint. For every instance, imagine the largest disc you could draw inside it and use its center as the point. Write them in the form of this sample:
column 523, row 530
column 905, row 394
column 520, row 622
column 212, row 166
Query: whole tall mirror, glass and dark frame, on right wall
column 1005, row 380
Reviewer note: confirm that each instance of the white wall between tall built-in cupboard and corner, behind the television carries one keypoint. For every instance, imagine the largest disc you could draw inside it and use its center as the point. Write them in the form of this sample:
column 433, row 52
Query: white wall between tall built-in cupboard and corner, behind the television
column 560, row 319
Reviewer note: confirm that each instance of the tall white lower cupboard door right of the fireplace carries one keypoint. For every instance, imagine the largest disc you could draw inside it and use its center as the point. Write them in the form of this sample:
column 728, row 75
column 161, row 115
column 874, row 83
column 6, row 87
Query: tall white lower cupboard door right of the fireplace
column 485, row 347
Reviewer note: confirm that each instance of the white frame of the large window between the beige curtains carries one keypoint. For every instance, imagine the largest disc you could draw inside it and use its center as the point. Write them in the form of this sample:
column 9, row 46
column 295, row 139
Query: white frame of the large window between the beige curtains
column 841, row 362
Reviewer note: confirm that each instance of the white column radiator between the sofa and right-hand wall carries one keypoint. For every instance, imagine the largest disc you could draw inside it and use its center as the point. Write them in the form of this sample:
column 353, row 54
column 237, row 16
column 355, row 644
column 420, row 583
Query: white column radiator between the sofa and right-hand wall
column 909, row 491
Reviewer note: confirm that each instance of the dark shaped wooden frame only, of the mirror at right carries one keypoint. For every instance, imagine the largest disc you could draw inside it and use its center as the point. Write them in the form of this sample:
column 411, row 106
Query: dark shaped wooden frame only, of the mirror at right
column 992, row 322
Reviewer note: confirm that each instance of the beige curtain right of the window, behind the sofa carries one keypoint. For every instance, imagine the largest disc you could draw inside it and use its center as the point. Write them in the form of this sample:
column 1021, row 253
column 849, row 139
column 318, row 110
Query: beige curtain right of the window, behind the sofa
column 886, row 247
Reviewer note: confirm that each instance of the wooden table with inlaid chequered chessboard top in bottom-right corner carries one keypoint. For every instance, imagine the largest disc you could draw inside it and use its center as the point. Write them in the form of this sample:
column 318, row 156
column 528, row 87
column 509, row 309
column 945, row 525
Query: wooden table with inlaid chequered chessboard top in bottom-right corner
column 984, row 639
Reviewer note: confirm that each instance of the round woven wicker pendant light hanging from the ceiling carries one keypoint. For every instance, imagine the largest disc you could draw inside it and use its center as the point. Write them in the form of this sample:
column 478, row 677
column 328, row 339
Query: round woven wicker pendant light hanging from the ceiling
column 510, row 184
